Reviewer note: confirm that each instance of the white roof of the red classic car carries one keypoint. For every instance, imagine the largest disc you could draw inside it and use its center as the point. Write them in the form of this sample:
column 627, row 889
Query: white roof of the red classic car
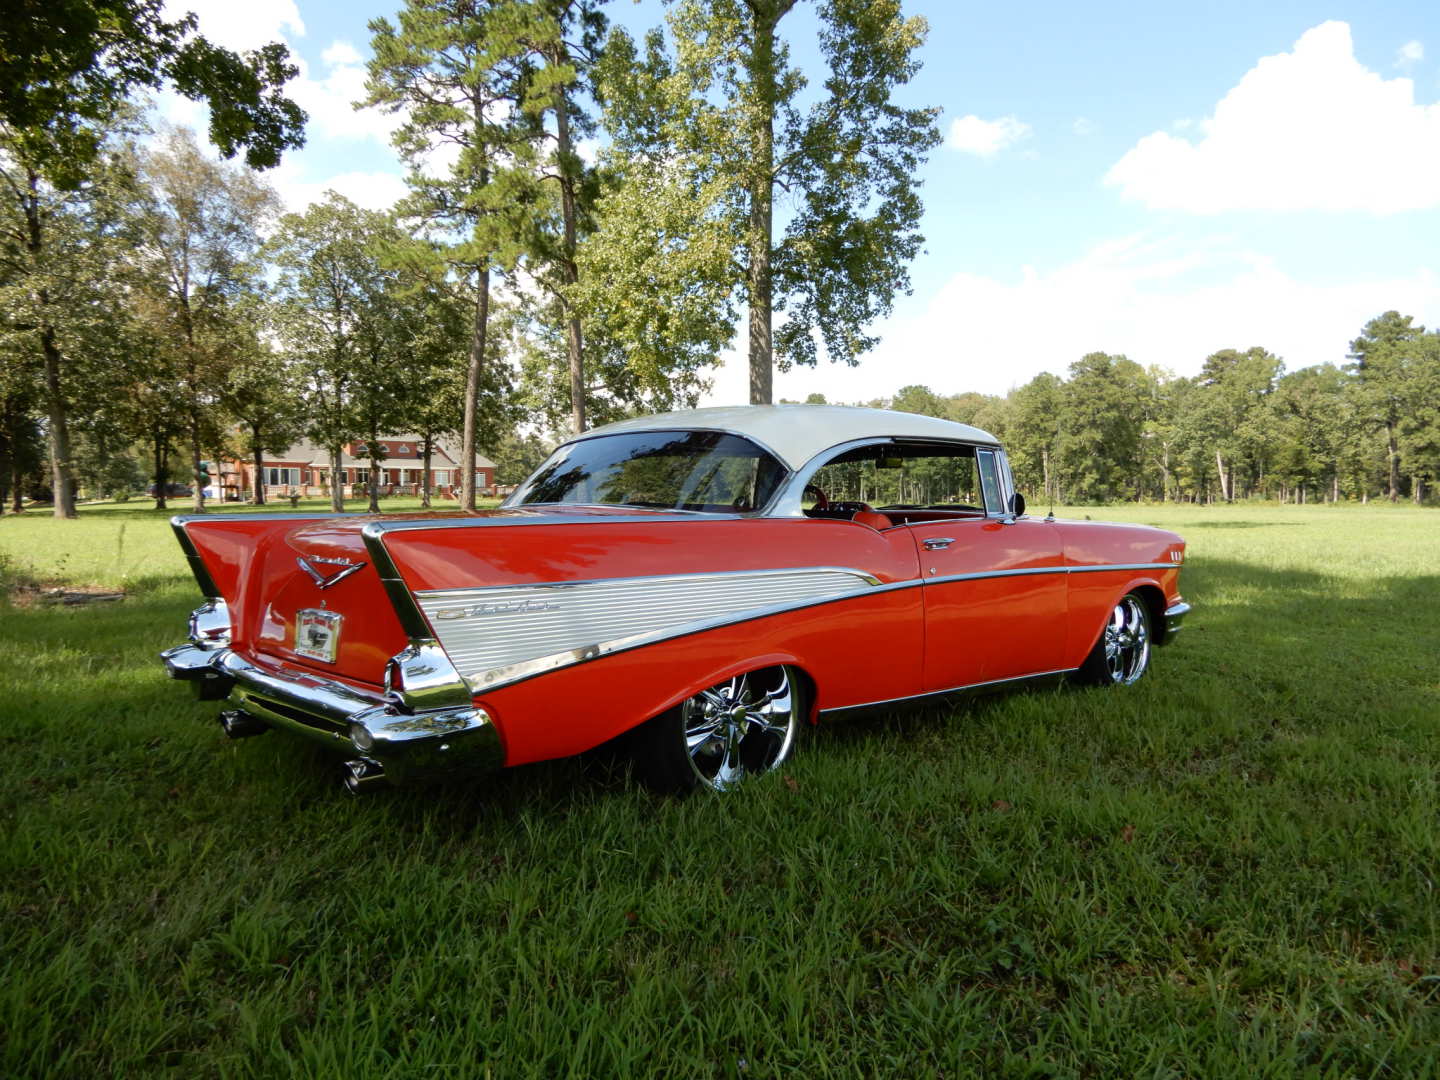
column 798, row 433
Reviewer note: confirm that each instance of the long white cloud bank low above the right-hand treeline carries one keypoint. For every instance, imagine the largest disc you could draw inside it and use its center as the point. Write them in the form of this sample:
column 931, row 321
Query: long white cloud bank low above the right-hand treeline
column 1153, row 302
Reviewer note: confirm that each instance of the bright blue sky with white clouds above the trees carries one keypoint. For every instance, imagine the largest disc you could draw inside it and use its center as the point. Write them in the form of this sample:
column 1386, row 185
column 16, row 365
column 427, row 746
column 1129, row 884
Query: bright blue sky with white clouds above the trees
column 1158, row 181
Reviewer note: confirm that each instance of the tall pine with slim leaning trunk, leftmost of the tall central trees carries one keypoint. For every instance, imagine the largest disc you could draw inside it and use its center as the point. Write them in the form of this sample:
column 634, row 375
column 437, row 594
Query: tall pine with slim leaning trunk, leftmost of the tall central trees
column 457, row 73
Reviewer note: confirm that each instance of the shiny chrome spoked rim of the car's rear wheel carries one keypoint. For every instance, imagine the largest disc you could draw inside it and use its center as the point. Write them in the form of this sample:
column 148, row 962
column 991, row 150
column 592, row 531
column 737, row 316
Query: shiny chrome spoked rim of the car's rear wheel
column 741, row 728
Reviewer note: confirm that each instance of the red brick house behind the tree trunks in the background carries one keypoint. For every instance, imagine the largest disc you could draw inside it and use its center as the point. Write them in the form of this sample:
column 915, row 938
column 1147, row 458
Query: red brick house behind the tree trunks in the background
column 305, row 470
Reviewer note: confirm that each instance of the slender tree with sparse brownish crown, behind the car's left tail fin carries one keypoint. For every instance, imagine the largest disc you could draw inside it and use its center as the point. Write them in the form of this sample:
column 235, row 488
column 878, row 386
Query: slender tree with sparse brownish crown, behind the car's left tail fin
column 201, row 227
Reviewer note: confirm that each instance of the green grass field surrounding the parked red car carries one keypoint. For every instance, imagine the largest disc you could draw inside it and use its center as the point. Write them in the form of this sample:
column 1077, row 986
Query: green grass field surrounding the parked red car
column 1226, row 870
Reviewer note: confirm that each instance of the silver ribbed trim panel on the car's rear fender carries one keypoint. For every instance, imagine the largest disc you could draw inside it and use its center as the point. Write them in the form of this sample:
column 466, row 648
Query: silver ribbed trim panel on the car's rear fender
column 500, row 634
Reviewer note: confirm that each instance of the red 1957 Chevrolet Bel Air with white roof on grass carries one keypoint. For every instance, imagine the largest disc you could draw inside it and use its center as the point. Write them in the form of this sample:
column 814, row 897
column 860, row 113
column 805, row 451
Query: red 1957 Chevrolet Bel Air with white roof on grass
column 709, row 581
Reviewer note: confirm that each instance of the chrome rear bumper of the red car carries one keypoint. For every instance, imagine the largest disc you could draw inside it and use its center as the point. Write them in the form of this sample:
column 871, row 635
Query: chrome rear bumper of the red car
column 407, row 744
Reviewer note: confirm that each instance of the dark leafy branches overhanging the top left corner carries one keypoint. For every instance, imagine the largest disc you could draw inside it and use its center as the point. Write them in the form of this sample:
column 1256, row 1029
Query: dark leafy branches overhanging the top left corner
column 70, row 64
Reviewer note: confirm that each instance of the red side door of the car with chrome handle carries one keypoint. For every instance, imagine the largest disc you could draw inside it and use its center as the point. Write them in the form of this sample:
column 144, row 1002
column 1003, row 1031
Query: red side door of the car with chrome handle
column 994, row 593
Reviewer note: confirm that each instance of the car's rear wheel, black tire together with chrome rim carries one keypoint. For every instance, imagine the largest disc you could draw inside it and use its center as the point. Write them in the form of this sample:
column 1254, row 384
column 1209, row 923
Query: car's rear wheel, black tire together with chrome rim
column 737, row 729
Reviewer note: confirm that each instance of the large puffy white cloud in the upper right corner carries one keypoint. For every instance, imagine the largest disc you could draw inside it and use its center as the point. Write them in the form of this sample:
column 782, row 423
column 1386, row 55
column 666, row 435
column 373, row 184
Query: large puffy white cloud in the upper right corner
column 1305, row 130
